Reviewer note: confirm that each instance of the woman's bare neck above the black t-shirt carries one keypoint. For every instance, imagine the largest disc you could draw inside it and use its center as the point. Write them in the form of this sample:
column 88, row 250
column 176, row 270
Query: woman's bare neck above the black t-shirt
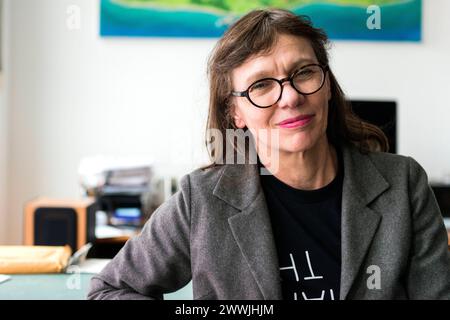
column 308, row 170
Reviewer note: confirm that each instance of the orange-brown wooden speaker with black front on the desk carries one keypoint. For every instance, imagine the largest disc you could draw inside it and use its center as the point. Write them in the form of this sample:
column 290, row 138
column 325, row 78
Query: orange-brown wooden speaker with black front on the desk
column 56, row 222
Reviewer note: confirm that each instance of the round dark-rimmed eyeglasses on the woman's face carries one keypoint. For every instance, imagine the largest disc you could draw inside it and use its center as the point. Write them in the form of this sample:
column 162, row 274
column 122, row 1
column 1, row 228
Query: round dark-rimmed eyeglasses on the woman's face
column 266, row 92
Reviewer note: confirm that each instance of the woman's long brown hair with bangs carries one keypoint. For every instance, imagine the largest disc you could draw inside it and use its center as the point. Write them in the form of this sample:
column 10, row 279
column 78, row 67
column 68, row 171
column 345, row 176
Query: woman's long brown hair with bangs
column 256, row 33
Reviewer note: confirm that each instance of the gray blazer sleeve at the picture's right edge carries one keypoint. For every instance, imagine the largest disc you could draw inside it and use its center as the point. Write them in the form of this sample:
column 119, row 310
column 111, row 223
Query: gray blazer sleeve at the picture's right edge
column 428, row 275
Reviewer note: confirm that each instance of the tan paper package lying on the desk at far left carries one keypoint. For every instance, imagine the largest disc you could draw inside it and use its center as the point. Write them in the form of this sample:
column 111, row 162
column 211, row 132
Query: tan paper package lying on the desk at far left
column 34, row 259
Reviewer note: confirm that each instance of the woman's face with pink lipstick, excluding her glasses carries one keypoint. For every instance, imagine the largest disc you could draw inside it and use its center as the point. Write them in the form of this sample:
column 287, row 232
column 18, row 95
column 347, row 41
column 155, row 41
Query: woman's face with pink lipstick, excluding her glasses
column 288, row 54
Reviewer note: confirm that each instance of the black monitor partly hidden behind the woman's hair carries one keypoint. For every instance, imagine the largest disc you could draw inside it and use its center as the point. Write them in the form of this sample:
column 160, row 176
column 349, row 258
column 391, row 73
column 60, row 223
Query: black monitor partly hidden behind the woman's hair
column 382, row 114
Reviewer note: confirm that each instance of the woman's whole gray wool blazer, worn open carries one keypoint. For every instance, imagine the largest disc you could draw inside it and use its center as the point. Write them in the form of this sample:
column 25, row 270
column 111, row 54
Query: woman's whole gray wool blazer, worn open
column 216, row 231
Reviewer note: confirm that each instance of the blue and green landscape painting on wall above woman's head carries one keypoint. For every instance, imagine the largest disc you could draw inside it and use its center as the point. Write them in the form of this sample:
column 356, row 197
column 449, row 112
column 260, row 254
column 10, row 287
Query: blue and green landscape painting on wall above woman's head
column 385, row 20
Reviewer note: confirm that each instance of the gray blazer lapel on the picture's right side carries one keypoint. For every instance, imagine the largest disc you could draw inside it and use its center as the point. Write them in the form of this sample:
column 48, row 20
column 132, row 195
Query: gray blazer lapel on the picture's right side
column 362, row 184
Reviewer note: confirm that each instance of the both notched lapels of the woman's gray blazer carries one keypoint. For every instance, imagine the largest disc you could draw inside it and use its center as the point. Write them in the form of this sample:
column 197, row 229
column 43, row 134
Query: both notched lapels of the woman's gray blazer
column 239, row 186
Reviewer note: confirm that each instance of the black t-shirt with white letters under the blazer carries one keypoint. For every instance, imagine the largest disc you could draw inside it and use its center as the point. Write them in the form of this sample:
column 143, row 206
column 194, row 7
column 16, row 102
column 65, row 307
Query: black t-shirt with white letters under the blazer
column 307, row 232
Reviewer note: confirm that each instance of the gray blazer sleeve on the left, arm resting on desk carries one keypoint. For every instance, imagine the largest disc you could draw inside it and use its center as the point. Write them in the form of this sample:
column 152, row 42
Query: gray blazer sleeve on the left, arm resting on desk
column 155, row 262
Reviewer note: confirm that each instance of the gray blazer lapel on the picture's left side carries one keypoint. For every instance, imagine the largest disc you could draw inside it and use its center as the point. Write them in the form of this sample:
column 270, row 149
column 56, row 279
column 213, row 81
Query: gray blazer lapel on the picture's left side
column 239, row 186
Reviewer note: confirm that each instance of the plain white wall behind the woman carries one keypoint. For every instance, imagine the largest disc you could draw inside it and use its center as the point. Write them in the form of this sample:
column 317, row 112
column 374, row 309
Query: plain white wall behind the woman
column 74, row 94
